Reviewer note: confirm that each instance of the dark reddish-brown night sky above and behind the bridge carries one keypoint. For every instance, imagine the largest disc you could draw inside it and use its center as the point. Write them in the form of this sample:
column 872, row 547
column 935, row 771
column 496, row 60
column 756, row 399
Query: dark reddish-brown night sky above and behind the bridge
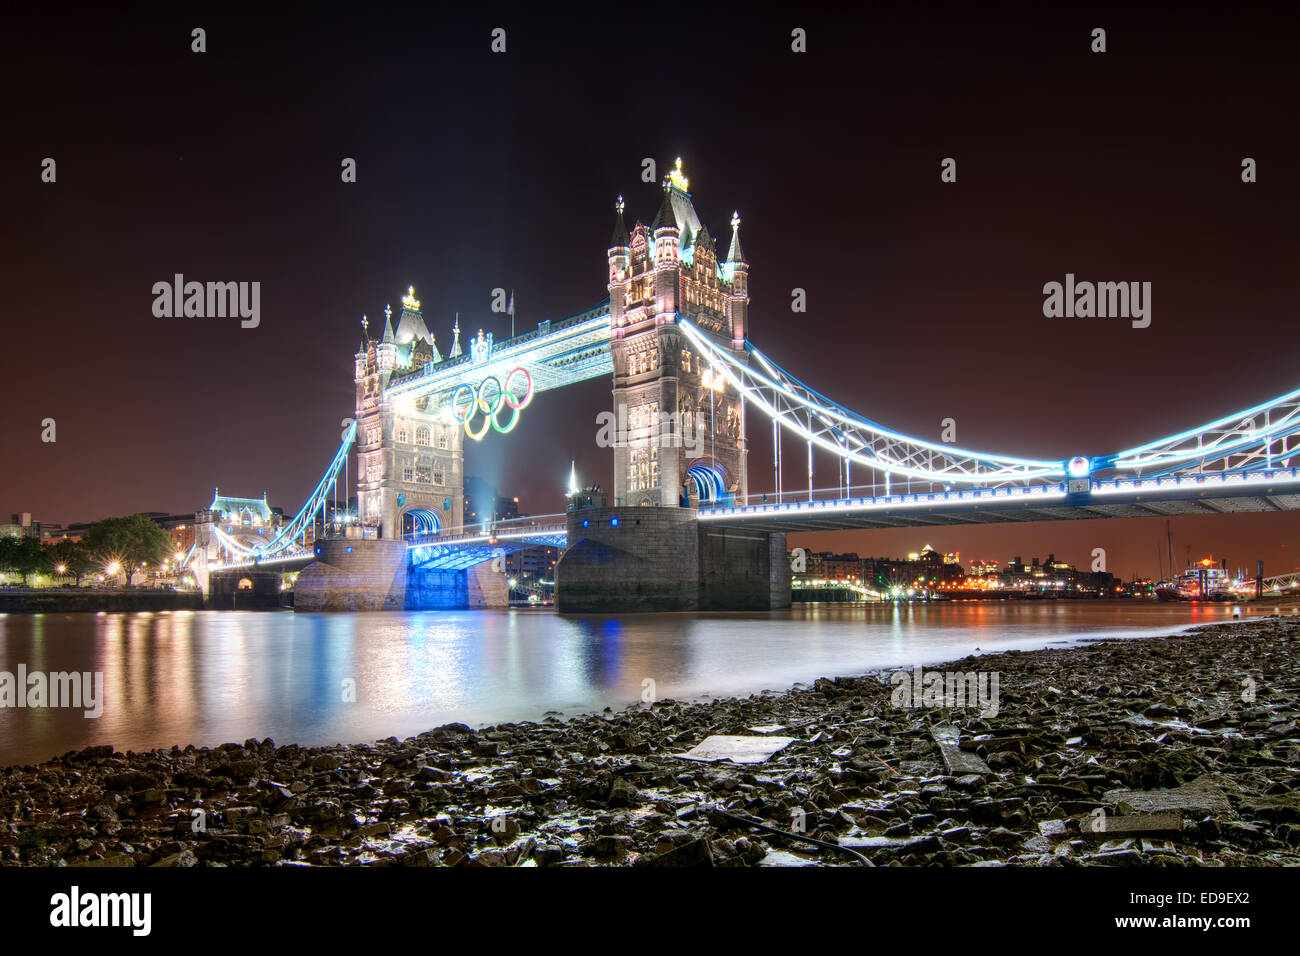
column 478, row 171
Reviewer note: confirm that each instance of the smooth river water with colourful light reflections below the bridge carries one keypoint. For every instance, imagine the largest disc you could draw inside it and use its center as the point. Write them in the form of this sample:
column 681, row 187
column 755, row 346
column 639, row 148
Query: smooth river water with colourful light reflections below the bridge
column 215, row 677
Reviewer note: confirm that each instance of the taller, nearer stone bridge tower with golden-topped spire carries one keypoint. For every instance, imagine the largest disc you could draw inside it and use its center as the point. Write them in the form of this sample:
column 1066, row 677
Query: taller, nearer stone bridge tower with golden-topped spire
column 681, row 426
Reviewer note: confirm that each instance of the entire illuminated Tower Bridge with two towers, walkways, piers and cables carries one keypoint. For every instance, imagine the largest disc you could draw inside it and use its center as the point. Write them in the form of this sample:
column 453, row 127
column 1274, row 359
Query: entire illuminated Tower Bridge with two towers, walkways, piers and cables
column 688, row 383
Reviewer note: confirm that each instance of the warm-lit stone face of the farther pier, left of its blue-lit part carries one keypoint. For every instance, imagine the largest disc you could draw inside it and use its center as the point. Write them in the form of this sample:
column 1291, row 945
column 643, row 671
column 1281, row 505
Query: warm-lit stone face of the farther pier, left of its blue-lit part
column 354, row 576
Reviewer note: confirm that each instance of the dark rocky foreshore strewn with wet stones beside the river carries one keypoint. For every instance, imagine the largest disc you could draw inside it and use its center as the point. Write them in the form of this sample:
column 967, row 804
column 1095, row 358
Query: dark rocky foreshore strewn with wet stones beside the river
column 1178, row 751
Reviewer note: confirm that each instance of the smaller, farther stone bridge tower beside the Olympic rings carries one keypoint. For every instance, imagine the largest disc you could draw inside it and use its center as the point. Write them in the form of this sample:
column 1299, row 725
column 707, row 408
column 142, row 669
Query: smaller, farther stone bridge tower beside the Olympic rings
column 410, row 460
